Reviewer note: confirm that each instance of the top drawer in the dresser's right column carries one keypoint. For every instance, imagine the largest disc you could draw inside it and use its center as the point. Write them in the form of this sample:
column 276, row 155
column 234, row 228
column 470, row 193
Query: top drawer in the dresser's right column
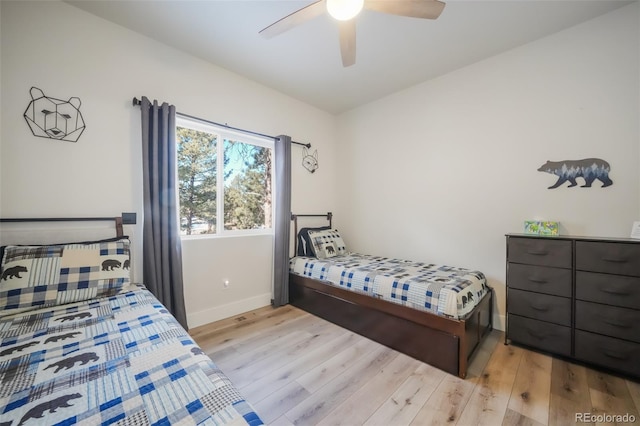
column 612, row 258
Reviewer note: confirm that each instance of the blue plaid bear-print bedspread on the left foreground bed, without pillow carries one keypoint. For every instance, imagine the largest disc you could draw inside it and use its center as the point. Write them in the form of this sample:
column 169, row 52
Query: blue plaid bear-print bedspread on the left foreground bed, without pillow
column 120, row 360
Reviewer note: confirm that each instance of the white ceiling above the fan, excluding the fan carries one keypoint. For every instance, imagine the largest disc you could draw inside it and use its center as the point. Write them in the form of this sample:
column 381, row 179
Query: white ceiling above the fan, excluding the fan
column 393, row 52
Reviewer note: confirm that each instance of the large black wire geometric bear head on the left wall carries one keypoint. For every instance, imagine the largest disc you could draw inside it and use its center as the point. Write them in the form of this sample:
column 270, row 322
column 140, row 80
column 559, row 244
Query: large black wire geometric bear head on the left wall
column 54, row 118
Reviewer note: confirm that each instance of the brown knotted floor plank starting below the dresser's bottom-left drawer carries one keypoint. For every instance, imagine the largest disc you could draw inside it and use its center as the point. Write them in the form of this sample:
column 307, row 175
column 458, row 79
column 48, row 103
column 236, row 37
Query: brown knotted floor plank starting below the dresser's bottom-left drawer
column 532, row 387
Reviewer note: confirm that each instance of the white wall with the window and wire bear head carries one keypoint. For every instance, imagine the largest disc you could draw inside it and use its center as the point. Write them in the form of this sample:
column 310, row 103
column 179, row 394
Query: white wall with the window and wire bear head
column 67, row 52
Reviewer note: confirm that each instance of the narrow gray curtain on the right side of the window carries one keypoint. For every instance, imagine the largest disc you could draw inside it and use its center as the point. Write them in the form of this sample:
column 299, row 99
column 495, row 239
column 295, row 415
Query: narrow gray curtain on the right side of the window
column 282, row 220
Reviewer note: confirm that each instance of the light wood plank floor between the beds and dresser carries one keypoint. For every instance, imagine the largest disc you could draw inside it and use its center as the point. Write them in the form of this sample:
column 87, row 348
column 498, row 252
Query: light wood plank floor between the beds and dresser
column 295, row 368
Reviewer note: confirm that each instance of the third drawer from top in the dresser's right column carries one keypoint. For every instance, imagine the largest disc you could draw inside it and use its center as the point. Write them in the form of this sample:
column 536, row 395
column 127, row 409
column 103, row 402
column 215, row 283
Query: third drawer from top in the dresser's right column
column 610, row 320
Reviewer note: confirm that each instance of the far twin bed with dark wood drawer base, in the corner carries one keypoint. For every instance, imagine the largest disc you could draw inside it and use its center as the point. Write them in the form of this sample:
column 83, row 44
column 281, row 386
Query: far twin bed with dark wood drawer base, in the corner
column 435, row 313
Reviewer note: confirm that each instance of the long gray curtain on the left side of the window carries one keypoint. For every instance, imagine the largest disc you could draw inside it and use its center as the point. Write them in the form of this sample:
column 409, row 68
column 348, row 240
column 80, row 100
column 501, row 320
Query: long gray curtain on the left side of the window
column 162, row 251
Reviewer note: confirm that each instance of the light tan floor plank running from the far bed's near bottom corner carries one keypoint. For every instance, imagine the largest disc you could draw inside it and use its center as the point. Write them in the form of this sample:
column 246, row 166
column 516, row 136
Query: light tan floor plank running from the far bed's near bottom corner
column 445, row 405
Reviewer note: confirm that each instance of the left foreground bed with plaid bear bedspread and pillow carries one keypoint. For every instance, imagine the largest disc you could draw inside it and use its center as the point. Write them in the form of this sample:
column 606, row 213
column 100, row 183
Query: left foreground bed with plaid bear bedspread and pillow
column 80, row 344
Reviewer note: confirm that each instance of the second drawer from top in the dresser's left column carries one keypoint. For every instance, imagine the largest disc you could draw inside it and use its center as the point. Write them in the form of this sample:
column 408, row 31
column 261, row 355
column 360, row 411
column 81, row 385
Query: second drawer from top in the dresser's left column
column 542, row 279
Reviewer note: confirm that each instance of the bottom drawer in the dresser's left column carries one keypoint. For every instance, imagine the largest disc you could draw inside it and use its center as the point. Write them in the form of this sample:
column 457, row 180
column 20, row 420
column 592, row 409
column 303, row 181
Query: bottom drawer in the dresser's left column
column 540, row 334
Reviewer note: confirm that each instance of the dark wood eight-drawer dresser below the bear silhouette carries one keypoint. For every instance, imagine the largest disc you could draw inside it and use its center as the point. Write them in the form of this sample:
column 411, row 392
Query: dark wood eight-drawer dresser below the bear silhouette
column 577, row 297
